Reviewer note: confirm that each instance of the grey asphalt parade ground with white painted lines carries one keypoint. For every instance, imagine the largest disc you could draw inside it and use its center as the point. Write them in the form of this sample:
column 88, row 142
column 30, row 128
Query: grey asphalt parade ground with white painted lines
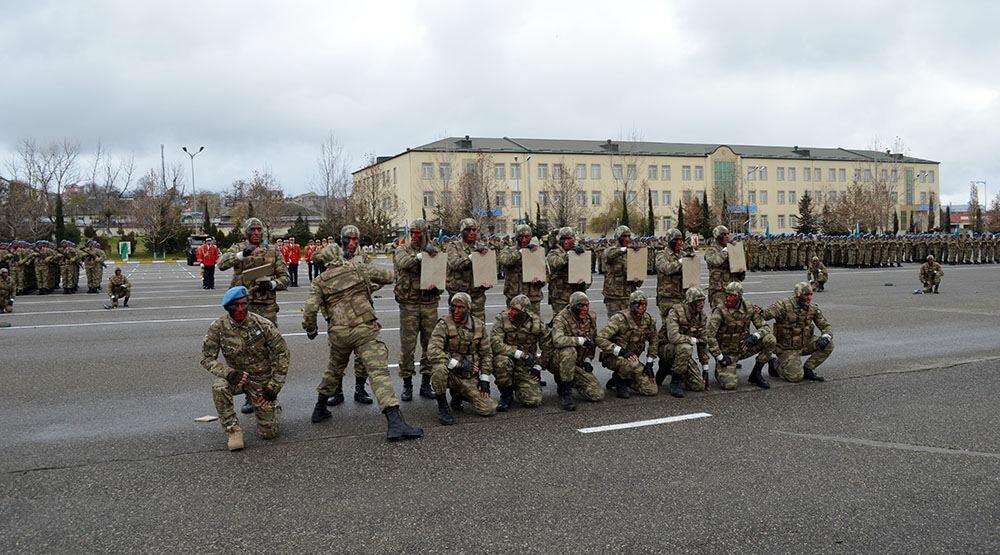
column 898, row 451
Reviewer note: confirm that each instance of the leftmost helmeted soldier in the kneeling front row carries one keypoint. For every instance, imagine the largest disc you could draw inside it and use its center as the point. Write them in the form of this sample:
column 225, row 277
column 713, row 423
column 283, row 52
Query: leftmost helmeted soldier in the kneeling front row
column 461, row 360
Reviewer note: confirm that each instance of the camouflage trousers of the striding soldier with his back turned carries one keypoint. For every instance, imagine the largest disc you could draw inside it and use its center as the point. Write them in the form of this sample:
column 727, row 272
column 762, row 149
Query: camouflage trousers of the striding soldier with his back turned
column 368, row 349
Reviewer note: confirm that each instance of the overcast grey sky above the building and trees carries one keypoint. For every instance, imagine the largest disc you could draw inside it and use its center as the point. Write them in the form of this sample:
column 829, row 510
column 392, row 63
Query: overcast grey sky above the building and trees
column 261, row 84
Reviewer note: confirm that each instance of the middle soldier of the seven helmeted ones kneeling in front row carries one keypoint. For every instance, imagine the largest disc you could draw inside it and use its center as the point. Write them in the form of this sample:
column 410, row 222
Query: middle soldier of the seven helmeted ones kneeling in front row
column 622, row 341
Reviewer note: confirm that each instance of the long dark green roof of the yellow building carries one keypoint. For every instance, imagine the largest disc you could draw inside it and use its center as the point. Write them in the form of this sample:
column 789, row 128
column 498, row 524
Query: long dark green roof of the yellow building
column 510, row 145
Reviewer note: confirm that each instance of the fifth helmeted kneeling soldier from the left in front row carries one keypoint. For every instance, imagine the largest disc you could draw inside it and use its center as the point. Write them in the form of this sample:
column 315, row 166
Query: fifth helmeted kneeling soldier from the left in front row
column 682, row 333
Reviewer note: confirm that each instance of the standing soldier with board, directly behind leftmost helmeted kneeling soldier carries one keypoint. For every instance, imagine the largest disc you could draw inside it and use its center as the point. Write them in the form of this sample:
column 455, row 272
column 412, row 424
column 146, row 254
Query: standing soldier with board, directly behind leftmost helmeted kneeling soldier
column 417, row 309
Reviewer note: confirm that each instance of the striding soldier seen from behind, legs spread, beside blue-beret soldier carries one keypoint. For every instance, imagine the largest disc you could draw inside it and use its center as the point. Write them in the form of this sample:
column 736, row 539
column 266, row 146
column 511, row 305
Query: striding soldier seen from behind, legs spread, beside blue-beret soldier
column 343, row 292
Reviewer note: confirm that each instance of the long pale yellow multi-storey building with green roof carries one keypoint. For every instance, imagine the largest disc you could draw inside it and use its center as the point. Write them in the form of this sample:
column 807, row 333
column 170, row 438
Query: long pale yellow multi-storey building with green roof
column 576, row 180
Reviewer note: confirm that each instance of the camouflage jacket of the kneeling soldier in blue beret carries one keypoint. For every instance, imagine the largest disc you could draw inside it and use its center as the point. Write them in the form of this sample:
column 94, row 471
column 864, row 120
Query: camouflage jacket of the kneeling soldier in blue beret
column 254, row 346
